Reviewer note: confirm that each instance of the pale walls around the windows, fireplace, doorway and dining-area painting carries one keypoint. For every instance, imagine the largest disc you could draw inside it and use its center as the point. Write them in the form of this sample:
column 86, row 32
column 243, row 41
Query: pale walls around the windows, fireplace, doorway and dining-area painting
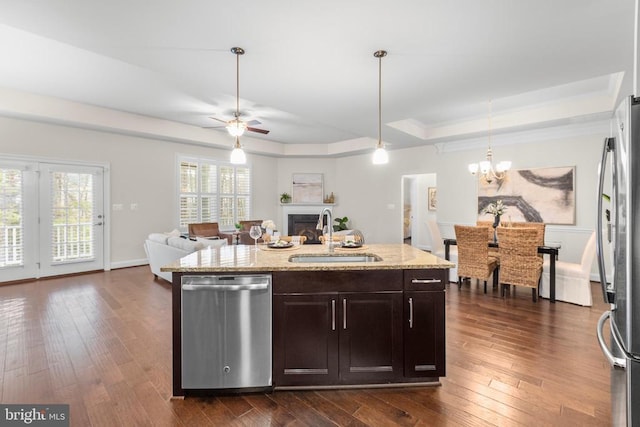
column 143, row 172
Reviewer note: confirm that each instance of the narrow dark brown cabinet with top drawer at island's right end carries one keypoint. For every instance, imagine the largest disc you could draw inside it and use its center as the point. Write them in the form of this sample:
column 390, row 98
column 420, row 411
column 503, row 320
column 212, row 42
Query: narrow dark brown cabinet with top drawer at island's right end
column 424, row 326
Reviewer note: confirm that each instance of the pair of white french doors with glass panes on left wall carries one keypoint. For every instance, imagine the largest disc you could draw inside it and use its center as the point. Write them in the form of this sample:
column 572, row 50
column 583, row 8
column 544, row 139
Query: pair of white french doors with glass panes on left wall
column 51, row 219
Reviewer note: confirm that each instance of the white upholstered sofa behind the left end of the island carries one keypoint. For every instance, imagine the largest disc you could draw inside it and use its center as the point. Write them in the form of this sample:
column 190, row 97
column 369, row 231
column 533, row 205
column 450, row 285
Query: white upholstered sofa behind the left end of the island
column 164, row 248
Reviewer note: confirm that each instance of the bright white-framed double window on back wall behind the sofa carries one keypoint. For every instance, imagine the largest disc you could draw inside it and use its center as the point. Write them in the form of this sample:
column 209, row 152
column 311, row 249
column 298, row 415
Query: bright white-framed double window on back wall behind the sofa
column 213, row 191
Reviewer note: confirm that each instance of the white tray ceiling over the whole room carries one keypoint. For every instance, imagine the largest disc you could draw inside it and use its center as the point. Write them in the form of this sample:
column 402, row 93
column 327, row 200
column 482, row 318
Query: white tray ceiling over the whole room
column 309, row 74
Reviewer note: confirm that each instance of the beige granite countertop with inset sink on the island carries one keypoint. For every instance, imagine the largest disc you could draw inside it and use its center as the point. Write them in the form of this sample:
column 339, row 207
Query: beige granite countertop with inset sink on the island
column 245, row 258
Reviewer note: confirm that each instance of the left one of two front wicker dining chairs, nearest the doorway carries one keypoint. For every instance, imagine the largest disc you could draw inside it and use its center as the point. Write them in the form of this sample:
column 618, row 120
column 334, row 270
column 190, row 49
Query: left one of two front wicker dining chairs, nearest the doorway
column 474, row 260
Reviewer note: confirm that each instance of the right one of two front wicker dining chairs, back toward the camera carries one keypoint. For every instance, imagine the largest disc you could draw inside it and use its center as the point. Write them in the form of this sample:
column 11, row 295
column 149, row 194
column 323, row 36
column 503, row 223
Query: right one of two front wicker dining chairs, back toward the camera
column 520, row 264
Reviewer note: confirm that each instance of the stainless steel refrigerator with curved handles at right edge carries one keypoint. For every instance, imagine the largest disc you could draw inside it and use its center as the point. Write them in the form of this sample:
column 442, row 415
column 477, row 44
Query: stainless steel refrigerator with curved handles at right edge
column 621, row 165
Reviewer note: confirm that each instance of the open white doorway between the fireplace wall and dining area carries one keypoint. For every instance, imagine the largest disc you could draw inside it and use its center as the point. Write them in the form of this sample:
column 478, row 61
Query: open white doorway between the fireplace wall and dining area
column 416, row 210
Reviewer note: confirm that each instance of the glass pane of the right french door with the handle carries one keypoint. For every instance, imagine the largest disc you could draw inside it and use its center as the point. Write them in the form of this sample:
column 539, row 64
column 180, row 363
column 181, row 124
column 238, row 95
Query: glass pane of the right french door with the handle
column 71, row 217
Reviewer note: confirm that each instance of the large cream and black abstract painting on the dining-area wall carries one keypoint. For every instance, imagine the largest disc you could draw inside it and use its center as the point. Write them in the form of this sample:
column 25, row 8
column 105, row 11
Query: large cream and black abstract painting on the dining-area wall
column 532, row 195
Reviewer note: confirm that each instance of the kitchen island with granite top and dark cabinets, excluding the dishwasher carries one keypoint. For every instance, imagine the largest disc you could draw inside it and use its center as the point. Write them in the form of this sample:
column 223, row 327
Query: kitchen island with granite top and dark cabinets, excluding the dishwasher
column 367, row 316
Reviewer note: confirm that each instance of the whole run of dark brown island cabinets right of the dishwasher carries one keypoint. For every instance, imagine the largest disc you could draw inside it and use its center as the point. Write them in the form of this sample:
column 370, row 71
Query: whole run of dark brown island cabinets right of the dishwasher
column 358, row 327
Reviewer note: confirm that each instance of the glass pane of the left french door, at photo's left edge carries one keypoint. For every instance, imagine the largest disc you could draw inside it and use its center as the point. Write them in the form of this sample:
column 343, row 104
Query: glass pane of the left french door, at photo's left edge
column 11, row 220
